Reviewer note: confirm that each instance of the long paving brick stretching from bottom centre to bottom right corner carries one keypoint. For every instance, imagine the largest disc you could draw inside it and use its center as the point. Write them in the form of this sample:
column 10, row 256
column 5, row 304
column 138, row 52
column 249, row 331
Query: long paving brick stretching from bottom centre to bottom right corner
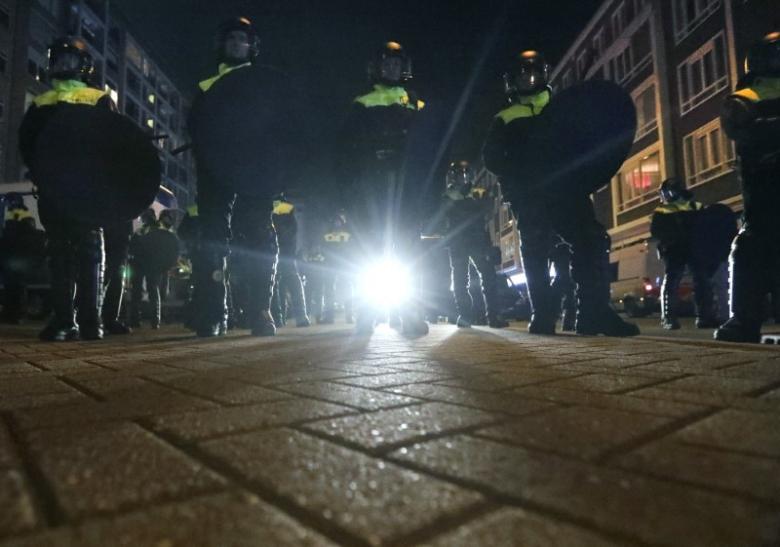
column 651, row 510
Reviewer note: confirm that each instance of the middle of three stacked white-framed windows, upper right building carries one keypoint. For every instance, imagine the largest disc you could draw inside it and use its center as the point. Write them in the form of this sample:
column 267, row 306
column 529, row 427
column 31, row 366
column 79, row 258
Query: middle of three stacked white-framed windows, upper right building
column 703, row 74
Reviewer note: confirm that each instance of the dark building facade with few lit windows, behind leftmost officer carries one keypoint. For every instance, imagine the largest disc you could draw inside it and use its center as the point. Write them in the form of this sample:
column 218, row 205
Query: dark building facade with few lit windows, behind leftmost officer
column 130, row 74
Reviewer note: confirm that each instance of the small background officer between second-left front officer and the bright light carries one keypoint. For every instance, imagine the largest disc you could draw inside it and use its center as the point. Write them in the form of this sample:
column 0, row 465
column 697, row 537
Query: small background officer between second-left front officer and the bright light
column 288, row 279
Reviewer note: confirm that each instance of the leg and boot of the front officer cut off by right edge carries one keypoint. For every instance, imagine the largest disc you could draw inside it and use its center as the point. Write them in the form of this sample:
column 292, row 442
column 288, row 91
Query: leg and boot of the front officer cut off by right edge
column 749, row 267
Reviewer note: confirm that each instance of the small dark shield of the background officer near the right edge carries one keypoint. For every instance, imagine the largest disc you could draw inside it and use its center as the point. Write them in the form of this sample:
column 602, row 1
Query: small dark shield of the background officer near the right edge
column 714, row 231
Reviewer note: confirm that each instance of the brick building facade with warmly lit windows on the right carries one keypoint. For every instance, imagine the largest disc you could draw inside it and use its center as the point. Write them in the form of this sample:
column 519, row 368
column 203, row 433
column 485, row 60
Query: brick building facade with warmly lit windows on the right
column 678, row 59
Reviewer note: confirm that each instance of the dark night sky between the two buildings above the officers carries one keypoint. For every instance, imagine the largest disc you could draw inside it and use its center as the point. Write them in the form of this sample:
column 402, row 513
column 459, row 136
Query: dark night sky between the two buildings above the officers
column 328, row 44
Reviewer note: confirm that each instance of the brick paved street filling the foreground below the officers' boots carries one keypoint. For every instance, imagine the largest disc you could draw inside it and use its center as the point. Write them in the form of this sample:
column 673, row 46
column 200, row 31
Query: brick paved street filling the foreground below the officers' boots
column 317, row 437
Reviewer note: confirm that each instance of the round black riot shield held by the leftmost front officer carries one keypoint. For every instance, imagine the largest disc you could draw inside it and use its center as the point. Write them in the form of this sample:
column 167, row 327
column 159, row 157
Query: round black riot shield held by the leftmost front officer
column 94, row 165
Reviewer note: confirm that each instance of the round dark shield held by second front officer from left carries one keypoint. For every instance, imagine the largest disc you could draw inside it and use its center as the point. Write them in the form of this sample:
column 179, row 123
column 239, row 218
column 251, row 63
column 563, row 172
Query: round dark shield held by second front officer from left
column 248, row 132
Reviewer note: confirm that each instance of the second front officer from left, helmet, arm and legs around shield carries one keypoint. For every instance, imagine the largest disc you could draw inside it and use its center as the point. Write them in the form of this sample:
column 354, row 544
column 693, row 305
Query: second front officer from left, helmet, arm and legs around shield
column 237, row 49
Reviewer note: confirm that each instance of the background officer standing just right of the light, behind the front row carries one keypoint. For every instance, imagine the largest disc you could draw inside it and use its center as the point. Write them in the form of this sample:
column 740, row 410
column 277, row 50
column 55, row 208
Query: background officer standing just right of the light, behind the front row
column 466, row 207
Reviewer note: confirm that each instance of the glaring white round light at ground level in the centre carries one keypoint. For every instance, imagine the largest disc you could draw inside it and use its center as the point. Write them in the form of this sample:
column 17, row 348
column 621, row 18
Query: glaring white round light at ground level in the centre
column 385, row 283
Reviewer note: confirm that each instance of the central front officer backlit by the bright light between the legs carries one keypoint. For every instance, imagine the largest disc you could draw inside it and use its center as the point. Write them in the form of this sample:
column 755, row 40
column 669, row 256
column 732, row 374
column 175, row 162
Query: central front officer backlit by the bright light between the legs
column 383, row 215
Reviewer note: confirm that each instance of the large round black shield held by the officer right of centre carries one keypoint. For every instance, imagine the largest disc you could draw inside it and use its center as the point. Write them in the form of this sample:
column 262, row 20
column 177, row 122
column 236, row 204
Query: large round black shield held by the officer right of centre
column 580, row 140
